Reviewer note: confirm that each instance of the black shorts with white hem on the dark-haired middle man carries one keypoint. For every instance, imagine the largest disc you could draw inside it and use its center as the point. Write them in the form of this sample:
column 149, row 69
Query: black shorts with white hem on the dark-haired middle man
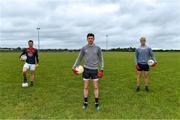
column 90, row 74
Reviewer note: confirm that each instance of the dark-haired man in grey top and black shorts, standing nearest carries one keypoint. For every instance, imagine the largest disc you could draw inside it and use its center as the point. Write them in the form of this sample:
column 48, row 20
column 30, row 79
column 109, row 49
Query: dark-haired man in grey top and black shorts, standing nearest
column 93, row 57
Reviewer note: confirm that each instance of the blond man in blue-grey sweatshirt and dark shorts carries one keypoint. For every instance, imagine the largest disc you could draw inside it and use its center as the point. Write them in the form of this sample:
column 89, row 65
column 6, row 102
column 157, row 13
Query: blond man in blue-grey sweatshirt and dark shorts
column 142, row 55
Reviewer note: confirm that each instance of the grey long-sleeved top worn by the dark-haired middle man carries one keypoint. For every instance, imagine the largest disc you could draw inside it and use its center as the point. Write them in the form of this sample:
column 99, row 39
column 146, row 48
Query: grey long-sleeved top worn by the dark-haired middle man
column 92, row 55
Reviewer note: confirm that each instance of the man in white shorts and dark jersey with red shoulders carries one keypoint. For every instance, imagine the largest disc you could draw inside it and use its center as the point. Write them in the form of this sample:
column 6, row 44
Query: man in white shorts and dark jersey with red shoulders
column 31, row 62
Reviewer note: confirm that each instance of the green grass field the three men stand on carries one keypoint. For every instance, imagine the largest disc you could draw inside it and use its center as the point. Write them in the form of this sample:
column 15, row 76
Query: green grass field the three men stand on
column 58, row 93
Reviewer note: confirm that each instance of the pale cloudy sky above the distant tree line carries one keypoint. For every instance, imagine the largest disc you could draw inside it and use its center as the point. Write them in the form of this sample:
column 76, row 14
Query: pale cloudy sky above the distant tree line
column 65, row 23
